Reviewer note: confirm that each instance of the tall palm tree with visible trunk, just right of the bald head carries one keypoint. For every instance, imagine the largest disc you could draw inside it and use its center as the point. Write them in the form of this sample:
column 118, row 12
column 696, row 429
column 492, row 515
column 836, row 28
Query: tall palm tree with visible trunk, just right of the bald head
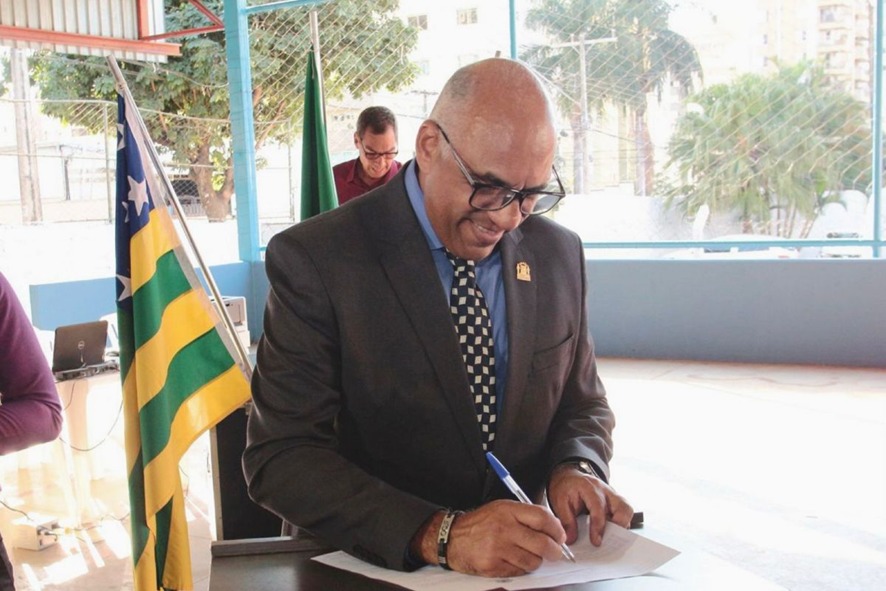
column 646, row 56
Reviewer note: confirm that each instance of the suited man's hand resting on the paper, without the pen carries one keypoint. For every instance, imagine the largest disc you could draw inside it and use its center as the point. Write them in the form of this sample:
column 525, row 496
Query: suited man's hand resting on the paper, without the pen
column 571, row 493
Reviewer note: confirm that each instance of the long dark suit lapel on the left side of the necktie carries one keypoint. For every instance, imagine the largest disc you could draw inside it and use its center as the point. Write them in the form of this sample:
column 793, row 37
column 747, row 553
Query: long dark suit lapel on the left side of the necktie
column 406, row 260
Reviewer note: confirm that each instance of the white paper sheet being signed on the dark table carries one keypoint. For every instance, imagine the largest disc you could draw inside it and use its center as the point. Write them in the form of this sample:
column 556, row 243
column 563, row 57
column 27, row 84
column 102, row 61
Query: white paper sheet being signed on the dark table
column 622, row 554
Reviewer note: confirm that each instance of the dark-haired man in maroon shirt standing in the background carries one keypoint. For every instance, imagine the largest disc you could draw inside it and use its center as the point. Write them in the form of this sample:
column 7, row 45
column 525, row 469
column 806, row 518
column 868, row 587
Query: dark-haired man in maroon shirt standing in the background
column 376, row 140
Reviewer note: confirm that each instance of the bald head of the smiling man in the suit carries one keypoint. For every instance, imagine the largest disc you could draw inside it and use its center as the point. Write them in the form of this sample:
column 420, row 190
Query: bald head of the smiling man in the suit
column 492, row 126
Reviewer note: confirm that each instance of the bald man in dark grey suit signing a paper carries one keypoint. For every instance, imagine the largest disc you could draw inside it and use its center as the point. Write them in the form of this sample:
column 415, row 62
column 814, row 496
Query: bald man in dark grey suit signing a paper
column 364, row 429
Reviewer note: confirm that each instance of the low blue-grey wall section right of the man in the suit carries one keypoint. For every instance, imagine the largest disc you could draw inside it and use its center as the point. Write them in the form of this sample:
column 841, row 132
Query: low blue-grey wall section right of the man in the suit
column 814, row 311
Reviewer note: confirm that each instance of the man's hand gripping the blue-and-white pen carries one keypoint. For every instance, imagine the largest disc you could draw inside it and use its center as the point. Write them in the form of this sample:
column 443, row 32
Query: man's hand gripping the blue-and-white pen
column 504, row 539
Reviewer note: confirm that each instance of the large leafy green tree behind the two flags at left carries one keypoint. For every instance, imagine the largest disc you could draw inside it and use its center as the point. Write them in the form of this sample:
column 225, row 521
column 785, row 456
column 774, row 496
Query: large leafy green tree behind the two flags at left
column 185, row 102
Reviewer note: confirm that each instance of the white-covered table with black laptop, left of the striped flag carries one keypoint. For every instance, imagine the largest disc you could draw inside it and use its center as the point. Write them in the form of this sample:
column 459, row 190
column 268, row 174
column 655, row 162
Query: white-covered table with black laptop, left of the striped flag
column 88, row 382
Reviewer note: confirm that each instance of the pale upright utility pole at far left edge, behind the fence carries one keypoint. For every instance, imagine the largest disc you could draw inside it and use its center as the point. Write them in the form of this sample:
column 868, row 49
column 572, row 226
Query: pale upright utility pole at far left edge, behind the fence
column 26, row 144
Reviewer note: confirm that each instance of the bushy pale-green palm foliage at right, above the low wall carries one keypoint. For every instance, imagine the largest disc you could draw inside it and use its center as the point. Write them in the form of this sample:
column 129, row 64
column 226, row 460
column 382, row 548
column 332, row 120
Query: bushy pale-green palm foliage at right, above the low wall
column 775, row 149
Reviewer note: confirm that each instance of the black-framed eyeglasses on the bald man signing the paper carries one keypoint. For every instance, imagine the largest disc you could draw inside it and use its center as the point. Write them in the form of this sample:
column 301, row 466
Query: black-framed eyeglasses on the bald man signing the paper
column 489, row 197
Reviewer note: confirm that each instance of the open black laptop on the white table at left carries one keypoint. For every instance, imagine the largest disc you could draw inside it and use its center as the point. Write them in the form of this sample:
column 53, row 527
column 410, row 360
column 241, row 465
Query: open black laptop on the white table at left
column 79, row 350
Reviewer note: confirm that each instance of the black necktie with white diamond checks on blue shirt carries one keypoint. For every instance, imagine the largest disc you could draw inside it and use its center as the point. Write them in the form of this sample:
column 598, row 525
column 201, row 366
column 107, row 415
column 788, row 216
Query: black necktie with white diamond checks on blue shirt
column 474, row 329
